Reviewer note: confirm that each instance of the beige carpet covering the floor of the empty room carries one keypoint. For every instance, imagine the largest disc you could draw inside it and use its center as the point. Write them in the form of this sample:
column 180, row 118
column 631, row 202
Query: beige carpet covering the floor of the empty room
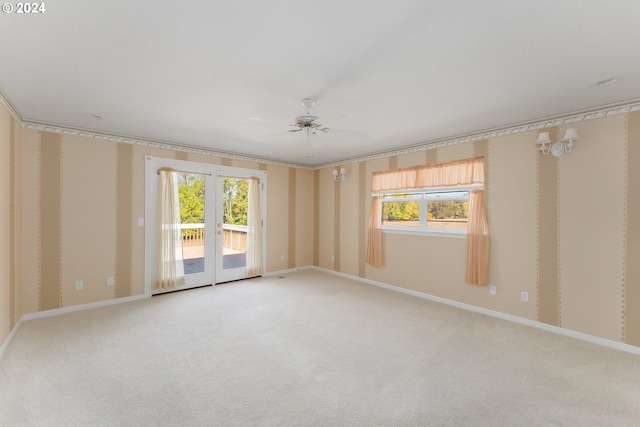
column 309, row 349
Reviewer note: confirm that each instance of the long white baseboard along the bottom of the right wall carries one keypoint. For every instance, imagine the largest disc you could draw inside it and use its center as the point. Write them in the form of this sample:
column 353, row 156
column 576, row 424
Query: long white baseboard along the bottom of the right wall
column 499, row 315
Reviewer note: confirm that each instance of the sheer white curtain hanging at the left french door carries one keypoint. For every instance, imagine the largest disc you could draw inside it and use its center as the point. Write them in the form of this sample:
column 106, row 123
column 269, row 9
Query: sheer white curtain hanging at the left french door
column 169, row 265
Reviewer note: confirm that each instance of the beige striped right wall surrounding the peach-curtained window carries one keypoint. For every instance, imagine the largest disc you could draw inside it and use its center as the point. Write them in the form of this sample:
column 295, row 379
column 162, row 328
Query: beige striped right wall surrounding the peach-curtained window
column 560, row 229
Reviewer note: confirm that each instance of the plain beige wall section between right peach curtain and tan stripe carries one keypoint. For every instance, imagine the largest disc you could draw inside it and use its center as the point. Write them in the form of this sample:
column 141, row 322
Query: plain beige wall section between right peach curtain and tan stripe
column 511, row 197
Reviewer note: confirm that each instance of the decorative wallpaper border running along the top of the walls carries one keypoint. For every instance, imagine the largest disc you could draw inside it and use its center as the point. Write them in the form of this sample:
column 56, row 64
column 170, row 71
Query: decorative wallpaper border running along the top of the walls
column 621, row 107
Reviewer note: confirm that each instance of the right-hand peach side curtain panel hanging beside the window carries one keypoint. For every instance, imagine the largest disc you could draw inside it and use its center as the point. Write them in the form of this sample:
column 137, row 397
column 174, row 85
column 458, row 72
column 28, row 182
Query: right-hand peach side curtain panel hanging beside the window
column 477, row 240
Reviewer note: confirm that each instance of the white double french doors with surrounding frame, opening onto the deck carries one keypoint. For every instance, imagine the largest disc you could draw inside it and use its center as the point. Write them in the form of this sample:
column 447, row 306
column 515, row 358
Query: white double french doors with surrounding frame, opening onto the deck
column 218, row 231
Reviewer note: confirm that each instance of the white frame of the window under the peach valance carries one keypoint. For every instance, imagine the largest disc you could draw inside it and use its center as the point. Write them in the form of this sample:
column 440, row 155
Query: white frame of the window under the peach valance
column 423, row 228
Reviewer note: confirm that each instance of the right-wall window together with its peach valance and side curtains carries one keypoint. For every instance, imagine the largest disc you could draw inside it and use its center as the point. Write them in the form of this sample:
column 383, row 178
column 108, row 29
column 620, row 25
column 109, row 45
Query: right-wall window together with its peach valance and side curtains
column 444, row 197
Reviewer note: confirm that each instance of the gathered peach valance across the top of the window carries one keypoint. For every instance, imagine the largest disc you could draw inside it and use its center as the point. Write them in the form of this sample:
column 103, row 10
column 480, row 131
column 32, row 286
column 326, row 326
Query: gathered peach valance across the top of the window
column 437, row 175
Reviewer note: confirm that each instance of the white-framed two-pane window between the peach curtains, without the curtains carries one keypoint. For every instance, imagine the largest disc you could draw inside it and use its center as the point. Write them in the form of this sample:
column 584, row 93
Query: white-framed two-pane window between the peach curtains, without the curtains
column 426, row 211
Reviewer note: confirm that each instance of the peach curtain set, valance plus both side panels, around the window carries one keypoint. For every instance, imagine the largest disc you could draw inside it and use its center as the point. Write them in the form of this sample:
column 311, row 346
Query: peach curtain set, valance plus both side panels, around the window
column 439, row 175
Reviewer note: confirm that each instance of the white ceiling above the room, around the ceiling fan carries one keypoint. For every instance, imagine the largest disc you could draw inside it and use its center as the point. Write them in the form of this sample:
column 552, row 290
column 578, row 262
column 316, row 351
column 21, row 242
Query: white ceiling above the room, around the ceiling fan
column 229, row 75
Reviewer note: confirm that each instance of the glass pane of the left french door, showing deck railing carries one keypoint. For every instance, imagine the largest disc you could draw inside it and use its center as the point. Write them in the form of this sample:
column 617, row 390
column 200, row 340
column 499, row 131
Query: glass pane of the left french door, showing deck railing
column 191, row 188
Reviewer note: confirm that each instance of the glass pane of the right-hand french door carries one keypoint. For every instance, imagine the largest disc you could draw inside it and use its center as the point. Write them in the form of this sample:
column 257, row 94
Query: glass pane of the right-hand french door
column 235, row 208
